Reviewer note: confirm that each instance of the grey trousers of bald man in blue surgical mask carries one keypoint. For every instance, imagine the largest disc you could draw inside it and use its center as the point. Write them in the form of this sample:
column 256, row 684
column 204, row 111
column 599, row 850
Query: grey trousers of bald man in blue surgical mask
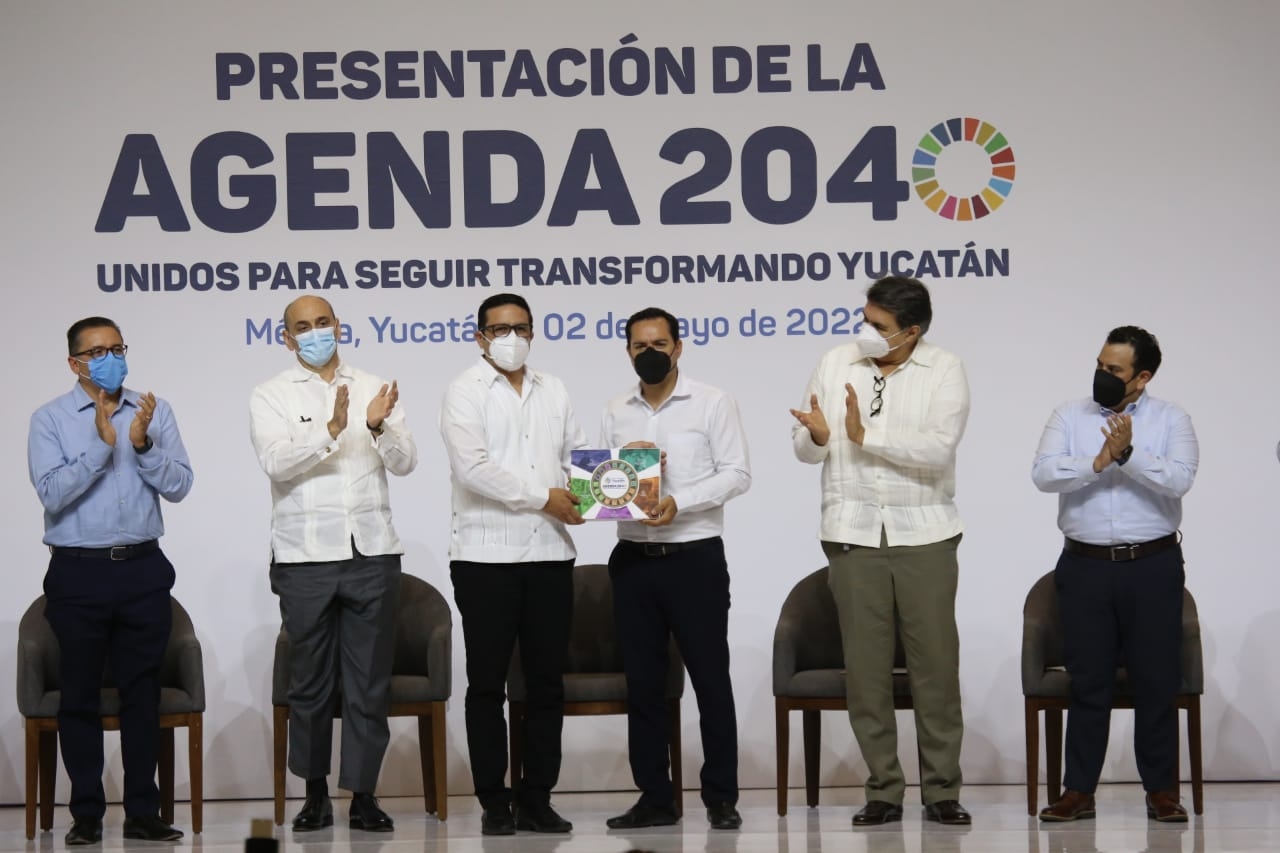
column 341, row 619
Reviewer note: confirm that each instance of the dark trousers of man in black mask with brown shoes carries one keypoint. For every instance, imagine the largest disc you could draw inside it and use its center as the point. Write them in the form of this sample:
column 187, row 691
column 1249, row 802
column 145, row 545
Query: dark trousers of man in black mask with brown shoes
column 1122, row 614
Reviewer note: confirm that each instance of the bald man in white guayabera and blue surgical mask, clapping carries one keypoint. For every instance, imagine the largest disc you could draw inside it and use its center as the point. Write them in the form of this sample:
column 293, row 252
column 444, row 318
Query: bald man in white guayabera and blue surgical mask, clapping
column 336, row 560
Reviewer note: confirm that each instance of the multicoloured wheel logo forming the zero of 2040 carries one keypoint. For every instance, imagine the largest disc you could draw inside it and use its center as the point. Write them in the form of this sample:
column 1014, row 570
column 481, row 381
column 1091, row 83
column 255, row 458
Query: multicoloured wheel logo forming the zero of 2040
column 943, row 143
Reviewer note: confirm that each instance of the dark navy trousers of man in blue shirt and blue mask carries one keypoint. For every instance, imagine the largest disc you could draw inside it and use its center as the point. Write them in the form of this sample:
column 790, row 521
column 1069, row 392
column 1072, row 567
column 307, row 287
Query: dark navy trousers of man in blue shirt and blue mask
column 118, row 612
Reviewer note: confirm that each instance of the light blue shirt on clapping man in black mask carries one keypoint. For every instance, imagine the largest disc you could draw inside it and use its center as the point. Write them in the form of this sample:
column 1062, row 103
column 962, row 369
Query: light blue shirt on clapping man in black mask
column 1139, row 501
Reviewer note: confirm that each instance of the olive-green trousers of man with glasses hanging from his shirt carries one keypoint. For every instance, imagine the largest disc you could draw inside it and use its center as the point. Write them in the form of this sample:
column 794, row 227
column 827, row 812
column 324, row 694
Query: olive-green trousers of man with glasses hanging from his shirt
column 909, row 591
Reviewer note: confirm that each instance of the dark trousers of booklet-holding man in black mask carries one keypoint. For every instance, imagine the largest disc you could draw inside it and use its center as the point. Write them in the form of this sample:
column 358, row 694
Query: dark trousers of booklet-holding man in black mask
column 684, row 595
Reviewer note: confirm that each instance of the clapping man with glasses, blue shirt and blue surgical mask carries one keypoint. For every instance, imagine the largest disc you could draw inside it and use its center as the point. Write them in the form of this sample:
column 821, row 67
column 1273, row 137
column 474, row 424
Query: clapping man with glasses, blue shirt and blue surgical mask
column 102, row 457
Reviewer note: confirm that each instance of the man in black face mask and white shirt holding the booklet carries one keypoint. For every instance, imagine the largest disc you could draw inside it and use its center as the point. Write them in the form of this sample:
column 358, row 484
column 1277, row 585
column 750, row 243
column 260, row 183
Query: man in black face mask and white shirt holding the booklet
column 670, row 574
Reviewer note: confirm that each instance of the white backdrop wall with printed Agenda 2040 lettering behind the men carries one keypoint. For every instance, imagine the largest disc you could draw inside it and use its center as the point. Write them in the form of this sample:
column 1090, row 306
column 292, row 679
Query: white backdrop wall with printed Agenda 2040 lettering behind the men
column 1144, row 195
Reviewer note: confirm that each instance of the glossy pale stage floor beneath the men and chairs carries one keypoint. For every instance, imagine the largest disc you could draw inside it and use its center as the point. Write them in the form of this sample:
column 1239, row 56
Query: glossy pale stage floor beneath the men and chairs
column 1238, row 818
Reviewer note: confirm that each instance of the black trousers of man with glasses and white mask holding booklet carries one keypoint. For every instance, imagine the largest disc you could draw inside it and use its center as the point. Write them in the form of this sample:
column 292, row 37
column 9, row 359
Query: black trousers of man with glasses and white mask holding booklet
column 500, row 604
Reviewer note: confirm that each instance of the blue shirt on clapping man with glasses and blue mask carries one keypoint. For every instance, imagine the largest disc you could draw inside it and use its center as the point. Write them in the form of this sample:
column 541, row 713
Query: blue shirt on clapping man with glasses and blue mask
column 97, row 496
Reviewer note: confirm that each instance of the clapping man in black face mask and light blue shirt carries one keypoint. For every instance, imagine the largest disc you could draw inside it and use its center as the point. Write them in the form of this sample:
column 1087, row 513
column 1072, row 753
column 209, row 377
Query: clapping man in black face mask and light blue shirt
column 1121, row 576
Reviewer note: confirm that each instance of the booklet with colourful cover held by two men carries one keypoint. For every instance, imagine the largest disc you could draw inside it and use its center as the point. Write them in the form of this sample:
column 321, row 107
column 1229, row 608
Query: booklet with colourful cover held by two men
column 623, row 483
